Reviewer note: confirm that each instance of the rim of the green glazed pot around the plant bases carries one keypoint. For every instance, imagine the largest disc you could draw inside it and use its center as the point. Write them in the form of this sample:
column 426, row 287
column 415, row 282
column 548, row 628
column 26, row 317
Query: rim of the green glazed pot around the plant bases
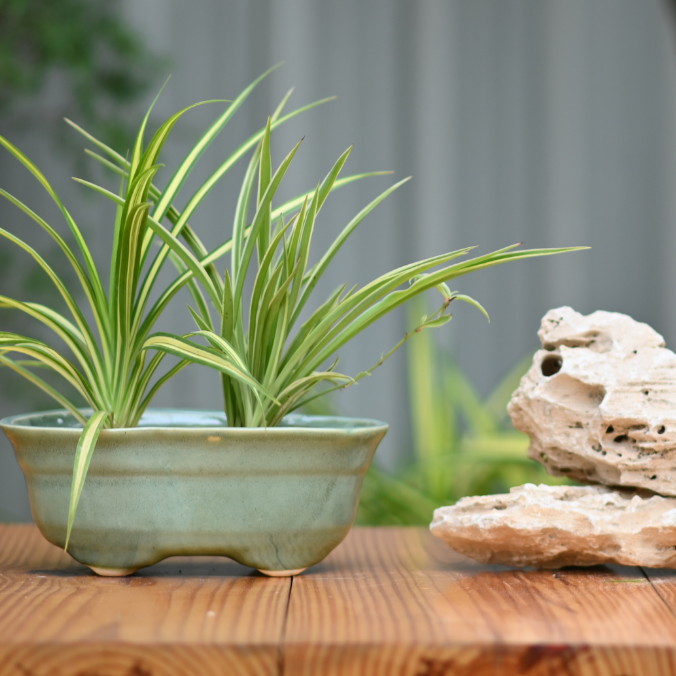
column 293, row 423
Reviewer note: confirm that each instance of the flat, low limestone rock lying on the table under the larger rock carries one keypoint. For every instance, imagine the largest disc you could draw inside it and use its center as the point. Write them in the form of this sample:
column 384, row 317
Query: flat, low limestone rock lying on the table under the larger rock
column 555, row 526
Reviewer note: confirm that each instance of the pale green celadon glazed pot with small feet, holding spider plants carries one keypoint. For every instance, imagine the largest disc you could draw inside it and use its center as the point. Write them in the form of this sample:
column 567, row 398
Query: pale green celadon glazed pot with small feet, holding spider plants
column 183, row 483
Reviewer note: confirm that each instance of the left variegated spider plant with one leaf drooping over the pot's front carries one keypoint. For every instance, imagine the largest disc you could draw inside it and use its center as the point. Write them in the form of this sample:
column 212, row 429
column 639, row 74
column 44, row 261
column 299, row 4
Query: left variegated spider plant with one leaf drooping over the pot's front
column 108, row 366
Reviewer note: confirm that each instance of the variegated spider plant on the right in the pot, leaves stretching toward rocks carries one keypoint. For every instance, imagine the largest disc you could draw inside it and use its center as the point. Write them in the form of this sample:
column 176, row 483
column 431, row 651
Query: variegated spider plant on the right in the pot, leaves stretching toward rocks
column 262, row 337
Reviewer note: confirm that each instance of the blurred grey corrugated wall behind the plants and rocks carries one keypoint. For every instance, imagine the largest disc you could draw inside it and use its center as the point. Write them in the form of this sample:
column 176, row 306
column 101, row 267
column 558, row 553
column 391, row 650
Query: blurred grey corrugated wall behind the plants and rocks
column 535, row 120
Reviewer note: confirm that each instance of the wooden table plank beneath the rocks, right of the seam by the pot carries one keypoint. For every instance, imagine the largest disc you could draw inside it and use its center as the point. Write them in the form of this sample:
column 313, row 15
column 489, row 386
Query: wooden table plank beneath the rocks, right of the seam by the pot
column 400, row 602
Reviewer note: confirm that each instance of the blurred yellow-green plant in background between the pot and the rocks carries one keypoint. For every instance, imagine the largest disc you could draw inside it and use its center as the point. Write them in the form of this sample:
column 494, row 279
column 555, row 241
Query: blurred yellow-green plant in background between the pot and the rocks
column 462, row 445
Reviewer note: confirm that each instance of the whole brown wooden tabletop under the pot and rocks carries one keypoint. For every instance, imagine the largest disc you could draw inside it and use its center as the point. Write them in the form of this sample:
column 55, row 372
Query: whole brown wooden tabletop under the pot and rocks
column 388, row 601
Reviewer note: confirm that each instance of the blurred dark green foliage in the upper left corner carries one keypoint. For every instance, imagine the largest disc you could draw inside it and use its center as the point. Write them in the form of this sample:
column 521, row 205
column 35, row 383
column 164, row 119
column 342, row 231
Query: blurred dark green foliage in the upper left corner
column 102, row 62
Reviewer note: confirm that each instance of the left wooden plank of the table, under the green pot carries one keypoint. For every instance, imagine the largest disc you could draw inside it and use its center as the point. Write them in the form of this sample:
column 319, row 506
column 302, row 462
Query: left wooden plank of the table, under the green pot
column 183, row 616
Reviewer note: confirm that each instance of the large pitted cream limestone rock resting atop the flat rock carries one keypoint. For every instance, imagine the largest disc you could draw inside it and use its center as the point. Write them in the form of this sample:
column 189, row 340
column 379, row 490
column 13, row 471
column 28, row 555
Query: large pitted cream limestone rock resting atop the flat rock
column 599, row 402
